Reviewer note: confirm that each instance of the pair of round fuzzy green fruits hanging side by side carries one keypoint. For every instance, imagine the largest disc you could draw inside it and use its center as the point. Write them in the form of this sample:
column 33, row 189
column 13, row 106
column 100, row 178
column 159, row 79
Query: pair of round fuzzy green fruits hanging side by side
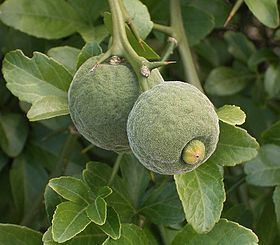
column 171, row 128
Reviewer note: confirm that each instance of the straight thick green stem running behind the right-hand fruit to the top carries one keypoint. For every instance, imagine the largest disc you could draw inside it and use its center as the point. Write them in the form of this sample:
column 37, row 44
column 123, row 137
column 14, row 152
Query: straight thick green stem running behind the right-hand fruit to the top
column 183, row 44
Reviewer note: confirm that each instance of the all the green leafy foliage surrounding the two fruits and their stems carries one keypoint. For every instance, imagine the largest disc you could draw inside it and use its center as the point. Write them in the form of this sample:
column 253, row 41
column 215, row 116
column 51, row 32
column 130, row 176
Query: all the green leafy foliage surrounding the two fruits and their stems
column 57, row 188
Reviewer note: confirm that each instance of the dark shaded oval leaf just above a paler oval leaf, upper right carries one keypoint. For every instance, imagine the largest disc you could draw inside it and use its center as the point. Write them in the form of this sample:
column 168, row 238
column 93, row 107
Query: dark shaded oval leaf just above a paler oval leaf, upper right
column 239, row 46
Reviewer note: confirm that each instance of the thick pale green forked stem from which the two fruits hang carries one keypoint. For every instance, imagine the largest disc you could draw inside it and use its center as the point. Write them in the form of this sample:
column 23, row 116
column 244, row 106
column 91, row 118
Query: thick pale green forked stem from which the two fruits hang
column 120, row 44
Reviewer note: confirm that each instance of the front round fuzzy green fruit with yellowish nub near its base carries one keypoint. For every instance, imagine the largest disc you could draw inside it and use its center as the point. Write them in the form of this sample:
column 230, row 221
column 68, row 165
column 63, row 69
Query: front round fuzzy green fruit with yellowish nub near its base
column 173, row 128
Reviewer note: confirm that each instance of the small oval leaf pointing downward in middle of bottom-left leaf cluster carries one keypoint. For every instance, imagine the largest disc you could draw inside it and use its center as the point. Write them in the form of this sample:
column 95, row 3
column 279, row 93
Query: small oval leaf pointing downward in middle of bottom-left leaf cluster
column 97, row 211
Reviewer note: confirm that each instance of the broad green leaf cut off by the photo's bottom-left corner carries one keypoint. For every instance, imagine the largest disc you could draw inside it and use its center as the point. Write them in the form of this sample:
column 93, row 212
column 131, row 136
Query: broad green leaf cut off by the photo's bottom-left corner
column 16, row 234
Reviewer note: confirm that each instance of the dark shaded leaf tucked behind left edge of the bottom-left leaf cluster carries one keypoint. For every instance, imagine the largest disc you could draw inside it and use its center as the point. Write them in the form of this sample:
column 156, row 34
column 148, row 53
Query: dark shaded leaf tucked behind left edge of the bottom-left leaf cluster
column 51, row 200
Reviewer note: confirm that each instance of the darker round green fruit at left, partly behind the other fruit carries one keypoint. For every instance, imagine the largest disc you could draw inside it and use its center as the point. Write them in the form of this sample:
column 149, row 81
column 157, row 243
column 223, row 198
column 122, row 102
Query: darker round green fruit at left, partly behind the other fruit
column 100, row 100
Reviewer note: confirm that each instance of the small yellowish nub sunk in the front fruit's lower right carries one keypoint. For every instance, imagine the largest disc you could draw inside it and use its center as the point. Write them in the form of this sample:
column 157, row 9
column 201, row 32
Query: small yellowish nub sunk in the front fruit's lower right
column 194, row 152
